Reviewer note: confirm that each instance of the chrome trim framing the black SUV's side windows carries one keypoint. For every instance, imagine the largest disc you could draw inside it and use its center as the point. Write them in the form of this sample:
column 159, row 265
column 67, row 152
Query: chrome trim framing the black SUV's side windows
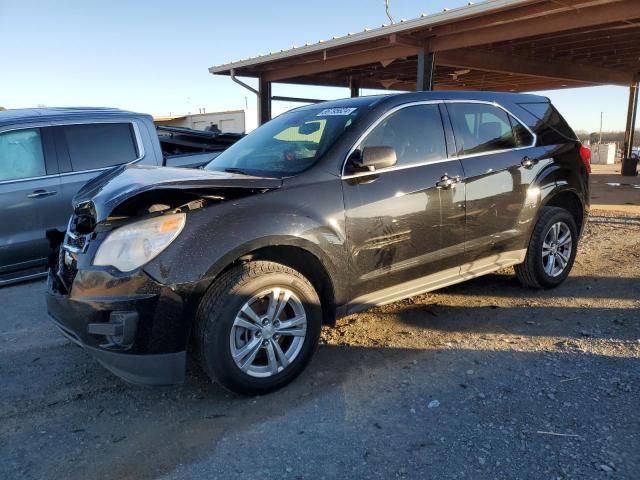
column 455, row 156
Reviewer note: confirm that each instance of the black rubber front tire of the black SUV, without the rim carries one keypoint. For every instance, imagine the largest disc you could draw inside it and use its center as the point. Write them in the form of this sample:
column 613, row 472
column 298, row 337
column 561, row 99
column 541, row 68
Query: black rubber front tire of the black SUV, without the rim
column 217, row 313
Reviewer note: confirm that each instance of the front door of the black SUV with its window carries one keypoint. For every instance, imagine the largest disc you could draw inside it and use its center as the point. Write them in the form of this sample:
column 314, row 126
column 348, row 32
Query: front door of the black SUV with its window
column 401, row 225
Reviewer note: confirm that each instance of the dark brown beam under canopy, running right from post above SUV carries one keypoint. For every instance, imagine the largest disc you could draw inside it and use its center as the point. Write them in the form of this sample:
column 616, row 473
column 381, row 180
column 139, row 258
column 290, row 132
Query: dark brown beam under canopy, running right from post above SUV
column 490, row 61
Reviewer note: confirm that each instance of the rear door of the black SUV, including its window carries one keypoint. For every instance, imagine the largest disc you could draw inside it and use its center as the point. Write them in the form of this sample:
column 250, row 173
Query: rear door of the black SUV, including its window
column 494, row 148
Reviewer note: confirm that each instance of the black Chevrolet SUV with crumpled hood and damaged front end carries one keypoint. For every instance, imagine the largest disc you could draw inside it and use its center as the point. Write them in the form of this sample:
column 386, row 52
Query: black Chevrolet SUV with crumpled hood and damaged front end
column 324, row 211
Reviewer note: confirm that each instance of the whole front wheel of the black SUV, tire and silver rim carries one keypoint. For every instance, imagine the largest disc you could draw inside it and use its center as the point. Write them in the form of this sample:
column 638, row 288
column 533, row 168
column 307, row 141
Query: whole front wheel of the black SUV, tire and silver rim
column 258, row 326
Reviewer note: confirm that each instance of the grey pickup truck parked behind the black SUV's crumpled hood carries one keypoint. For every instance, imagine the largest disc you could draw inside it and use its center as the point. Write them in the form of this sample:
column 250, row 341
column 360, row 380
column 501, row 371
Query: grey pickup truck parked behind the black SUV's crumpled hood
column 47, row 154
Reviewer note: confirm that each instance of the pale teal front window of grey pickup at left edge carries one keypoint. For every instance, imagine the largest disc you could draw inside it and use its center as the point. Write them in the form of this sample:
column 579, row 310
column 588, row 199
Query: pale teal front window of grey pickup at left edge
column 21, row 155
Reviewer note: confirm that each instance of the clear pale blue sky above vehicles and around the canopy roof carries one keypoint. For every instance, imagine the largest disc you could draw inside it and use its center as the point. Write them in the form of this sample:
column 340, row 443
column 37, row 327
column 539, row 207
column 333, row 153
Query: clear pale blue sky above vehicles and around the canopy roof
column 153, row 56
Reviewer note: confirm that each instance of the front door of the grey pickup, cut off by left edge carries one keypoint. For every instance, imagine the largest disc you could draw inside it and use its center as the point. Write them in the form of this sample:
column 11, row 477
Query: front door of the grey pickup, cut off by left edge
column 29, row 197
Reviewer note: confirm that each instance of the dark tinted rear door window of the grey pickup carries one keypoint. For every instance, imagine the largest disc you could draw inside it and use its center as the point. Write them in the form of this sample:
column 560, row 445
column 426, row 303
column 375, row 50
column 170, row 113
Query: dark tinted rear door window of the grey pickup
column 100, row 145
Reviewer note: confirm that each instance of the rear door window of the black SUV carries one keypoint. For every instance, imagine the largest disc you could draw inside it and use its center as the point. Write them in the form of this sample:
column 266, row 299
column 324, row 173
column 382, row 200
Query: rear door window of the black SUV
column 480, row 128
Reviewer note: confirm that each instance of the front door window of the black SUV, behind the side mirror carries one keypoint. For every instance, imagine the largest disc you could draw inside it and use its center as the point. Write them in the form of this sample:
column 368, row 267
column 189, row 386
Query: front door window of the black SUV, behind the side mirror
column 415, row 133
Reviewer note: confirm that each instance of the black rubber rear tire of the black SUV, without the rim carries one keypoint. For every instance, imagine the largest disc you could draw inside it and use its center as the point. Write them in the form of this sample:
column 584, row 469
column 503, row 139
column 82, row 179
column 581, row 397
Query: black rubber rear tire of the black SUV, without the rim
column 532, row 272
